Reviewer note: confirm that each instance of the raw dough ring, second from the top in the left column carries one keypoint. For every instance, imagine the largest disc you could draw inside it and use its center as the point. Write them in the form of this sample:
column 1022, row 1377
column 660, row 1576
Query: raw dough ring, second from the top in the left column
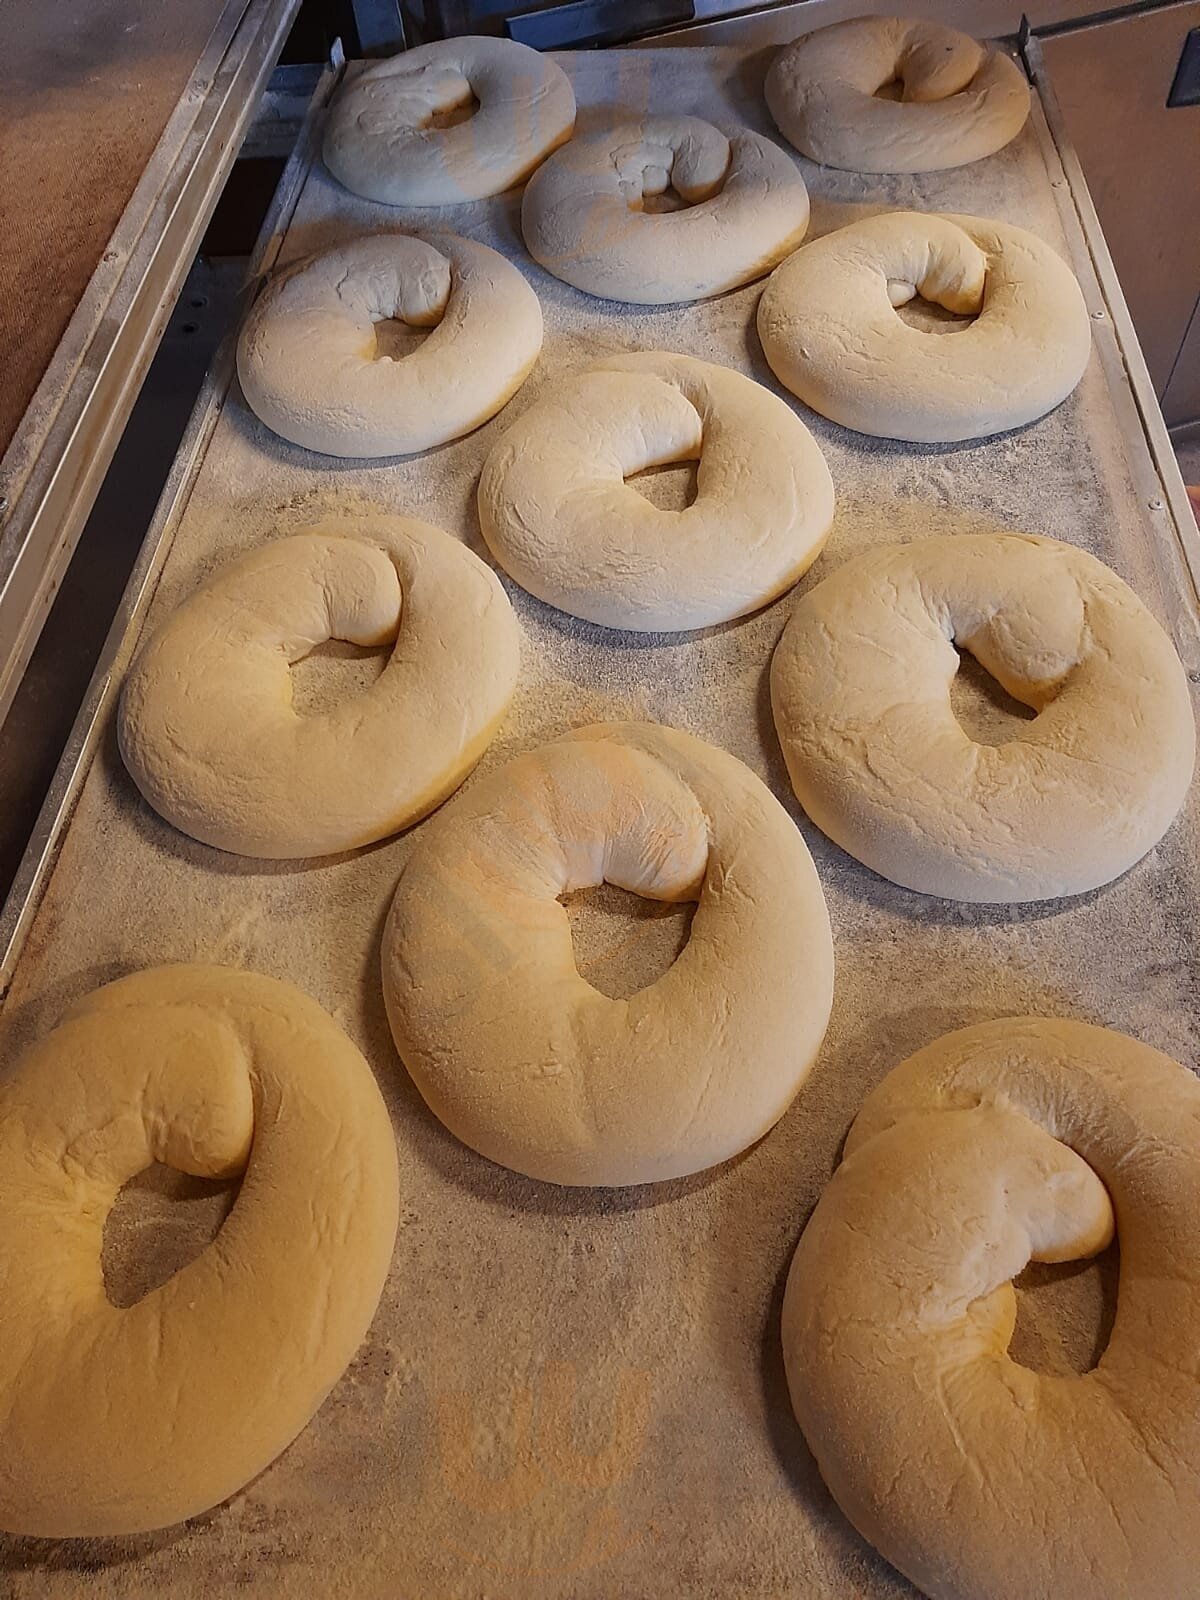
column 308, row 356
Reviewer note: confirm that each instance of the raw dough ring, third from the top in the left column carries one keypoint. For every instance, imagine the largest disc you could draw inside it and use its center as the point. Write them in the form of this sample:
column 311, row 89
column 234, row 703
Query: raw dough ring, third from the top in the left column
column 209, row 730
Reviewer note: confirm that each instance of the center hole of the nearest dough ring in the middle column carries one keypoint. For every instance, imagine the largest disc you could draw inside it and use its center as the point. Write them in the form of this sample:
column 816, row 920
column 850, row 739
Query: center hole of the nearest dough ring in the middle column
column 625, row 943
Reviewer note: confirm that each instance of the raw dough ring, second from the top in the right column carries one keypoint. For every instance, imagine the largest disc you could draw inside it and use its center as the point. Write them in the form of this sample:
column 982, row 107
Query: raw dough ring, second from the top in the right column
column 831, row 334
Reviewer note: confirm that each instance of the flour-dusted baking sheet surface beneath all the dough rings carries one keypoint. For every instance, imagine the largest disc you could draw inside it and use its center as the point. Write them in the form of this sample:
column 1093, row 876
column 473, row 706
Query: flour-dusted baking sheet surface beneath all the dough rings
column 570, row 1394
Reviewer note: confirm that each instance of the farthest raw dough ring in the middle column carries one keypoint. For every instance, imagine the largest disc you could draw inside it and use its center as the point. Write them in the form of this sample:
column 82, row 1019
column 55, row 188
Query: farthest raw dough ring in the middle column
column 585, row 222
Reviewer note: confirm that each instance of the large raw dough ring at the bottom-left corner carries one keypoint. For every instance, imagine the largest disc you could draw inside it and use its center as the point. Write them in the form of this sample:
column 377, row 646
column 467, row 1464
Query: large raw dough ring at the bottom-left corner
column 119, row 1420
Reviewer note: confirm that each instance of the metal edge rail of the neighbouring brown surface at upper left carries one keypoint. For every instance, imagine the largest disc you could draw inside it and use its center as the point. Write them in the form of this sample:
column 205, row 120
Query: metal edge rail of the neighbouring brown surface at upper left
column 55, row 465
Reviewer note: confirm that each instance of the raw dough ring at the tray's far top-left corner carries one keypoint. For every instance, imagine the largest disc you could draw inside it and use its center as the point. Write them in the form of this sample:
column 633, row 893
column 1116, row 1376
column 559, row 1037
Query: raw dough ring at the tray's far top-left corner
column 382, row 140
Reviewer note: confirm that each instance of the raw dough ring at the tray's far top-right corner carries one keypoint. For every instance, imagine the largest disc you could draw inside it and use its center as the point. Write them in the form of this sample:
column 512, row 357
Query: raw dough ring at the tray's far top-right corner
column 962, row 100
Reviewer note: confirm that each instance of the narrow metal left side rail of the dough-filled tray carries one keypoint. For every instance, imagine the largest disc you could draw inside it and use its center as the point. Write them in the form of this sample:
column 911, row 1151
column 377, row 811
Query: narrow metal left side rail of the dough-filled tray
column 121, row 641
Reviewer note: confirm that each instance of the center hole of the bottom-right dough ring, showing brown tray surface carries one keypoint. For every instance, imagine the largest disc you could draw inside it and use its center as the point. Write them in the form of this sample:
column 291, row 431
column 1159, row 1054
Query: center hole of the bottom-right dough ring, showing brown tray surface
column 1065, row 1314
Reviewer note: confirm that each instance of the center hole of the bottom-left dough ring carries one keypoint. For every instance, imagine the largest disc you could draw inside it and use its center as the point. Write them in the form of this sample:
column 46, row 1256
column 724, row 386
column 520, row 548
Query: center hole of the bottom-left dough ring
column 159, row 1223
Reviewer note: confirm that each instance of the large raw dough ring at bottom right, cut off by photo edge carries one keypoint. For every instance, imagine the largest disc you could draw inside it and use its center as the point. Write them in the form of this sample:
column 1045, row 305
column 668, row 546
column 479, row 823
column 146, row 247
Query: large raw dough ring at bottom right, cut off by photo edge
column 975, row 1476
